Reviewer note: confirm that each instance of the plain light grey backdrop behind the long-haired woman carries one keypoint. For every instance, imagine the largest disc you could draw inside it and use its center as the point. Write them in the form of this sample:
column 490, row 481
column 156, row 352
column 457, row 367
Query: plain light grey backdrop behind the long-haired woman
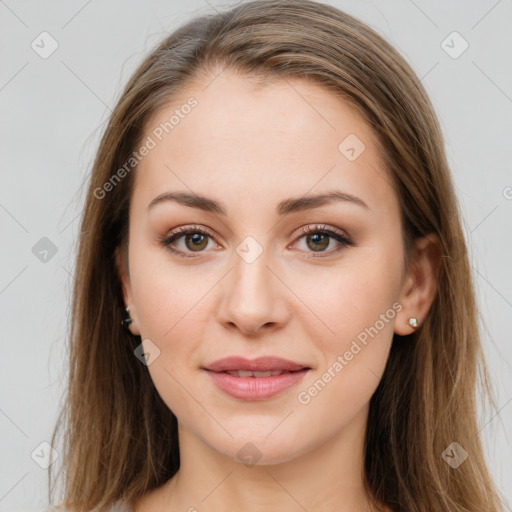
column 56, row 91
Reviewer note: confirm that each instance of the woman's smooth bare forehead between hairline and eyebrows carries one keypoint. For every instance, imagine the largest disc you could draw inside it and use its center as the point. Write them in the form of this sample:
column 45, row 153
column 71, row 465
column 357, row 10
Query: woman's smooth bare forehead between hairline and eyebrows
column 287, row 138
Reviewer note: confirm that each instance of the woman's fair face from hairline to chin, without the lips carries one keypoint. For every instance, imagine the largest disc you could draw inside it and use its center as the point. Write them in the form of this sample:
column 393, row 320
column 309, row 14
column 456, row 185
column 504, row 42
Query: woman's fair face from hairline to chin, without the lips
column 265, row 273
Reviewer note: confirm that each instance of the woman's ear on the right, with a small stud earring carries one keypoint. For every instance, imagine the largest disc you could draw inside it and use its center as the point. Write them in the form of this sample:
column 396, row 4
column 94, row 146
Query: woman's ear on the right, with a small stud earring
column 420, row 284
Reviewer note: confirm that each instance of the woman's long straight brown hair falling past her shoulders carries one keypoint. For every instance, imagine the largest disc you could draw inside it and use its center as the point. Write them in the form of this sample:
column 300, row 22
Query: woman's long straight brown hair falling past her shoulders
column 120, row 439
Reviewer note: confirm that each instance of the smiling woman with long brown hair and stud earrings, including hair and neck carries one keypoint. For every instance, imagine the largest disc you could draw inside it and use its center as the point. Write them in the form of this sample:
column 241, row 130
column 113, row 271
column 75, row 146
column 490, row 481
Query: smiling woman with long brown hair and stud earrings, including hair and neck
column 273, row 305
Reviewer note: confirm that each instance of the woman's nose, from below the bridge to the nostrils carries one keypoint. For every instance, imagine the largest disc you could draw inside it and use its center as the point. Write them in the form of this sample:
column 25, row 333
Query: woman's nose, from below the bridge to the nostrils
column 253, row 298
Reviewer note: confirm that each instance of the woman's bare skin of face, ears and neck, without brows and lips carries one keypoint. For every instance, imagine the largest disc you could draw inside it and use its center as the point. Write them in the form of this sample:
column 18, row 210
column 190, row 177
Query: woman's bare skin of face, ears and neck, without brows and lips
column 251, row 147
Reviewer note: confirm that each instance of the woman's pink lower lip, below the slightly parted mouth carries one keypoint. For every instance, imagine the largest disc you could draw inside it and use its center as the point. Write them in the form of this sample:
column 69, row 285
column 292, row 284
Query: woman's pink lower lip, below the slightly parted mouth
column 255, row 388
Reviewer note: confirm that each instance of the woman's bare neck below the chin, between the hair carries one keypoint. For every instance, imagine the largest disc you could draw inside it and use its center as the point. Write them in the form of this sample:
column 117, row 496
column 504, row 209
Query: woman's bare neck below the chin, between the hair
column 326, row 477
